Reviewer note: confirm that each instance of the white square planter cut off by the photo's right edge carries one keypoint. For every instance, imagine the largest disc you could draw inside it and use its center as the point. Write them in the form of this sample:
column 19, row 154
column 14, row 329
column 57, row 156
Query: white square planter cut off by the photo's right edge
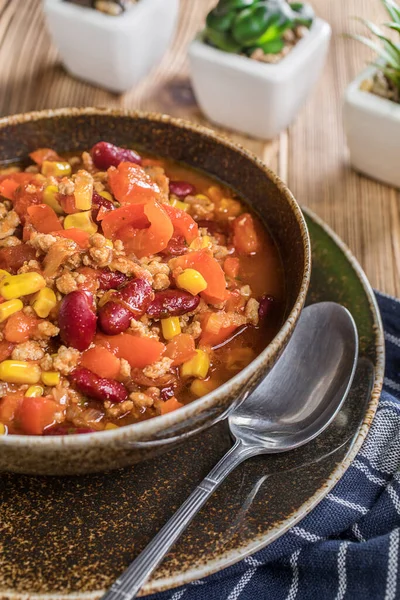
column 372, row 126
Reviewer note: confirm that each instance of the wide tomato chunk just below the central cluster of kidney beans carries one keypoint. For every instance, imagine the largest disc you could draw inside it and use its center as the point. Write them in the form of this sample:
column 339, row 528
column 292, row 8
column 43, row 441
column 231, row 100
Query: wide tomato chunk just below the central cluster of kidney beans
column 138, row 351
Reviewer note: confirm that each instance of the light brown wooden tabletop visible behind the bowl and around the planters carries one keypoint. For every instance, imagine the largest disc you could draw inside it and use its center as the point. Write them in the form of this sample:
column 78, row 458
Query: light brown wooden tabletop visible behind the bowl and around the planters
column 311, row 156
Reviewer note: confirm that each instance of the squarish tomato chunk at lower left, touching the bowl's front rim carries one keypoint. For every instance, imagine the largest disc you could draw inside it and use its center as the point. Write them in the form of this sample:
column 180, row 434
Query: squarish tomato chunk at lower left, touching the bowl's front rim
column 35, row 414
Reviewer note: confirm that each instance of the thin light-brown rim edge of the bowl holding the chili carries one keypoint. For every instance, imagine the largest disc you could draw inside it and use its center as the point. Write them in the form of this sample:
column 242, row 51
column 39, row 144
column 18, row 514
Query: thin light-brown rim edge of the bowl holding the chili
column 137, row 432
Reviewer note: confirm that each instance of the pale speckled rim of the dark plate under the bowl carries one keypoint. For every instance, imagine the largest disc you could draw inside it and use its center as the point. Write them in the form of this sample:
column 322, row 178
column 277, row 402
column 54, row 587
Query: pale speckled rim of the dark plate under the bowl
column 260, row 542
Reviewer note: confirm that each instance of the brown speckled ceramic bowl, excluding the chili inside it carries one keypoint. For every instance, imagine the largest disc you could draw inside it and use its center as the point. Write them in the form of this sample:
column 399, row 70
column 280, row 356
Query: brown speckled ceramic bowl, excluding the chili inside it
column 78, row 129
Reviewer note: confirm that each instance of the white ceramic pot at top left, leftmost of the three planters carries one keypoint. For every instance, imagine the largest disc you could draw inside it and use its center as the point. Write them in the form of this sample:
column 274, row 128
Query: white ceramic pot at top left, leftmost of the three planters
column 112, row 52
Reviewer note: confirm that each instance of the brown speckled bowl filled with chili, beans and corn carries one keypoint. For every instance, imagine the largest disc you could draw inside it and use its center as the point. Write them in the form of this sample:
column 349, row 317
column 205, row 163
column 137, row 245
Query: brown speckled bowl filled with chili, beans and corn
column 151, row 273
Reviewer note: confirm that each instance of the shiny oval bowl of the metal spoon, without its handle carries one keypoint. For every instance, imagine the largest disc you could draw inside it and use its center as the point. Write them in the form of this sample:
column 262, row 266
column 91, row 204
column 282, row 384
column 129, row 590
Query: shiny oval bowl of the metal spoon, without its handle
column 303, row 393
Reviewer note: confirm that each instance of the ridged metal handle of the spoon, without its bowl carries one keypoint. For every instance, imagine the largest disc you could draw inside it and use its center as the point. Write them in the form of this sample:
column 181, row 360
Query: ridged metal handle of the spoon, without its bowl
column 130, row 582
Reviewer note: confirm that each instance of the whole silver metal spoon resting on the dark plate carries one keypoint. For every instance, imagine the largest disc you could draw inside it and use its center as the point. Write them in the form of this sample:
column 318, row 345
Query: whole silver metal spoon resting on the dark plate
column 296, row 401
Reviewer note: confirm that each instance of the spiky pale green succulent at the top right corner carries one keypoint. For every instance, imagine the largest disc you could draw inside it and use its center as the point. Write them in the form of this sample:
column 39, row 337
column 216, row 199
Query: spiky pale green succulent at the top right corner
column 388, row 51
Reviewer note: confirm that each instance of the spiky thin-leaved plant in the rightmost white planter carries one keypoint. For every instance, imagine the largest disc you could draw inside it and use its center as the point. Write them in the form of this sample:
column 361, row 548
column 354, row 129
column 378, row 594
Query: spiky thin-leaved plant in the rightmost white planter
column 385, row 81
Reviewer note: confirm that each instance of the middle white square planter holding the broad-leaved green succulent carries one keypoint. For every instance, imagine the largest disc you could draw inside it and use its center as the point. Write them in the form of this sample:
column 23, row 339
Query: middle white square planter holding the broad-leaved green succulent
column 252, row 97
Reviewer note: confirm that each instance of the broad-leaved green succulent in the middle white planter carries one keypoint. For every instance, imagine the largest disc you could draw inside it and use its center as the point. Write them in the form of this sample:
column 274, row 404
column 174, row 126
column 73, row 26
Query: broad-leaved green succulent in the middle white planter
column 241, row 26
